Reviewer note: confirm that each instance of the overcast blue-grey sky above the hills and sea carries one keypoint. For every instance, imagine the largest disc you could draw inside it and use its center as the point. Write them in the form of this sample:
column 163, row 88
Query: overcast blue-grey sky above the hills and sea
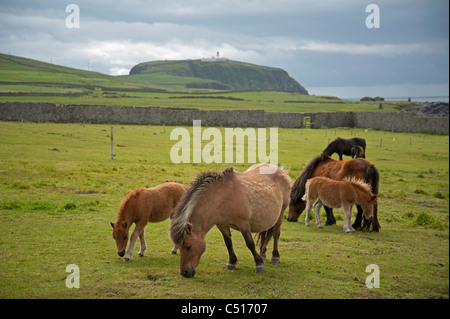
column 325, row 45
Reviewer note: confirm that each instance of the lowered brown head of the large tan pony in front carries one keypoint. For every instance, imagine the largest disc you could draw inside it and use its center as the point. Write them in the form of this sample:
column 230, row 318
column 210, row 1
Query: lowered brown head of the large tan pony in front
column 191, row 249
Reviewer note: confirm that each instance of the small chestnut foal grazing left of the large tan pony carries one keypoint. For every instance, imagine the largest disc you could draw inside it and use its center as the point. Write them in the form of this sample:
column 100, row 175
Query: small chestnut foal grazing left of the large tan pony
column 140, row 206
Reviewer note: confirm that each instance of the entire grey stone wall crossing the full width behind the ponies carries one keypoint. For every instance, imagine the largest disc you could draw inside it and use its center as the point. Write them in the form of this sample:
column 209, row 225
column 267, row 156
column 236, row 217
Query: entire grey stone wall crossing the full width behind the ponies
column 49, row 112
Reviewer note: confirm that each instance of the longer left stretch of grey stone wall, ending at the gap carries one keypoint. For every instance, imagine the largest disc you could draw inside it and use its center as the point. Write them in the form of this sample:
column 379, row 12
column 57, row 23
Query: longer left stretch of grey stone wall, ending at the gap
column 49, row 112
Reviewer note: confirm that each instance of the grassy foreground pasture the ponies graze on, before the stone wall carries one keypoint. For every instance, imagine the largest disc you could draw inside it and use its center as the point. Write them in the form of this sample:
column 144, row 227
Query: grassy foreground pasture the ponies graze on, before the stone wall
column 59, row 190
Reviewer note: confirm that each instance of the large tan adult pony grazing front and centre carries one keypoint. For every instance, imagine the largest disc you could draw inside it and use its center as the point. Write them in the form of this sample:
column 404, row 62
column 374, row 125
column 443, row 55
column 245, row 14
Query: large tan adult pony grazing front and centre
column 249, row 202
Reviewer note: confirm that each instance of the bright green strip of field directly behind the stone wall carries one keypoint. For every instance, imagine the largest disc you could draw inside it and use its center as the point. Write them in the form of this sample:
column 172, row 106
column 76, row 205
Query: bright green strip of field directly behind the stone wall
column 269, row 101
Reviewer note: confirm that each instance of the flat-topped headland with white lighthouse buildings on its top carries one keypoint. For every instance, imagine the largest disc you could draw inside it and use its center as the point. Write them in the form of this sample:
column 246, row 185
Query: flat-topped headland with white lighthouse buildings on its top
column 220, row 75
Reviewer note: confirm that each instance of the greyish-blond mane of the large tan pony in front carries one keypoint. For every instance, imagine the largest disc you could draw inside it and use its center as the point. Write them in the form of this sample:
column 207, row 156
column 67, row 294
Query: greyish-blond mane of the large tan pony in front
column 185, row 208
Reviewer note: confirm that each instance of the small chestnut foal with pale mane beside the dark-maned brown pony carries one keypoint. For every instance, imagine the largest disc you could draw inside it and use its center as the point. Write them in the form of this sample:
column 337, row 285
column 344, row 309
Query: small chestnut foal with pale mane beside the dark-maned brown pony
column 338, row 194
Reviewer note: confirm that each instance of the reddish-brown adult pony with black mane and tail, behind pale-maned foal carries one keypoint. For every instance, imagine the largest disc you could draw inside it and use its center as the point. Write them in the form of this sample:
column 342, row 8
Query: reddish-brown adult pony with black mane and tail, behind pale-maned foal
column 324, row 165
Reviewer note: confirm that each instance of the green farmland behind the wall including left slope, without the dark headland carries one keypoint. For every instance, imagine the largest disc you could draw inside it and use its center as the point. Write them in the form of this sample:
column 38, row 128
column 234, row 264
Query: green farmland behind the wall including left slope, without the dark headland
column 26, row 80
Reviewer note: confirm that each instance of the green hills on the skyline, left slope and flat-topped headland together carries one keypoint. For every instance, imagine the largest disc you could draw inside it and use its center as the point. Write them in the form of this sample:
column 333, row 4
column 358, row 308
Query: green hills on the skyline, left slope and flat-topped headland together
column 158, row 76
